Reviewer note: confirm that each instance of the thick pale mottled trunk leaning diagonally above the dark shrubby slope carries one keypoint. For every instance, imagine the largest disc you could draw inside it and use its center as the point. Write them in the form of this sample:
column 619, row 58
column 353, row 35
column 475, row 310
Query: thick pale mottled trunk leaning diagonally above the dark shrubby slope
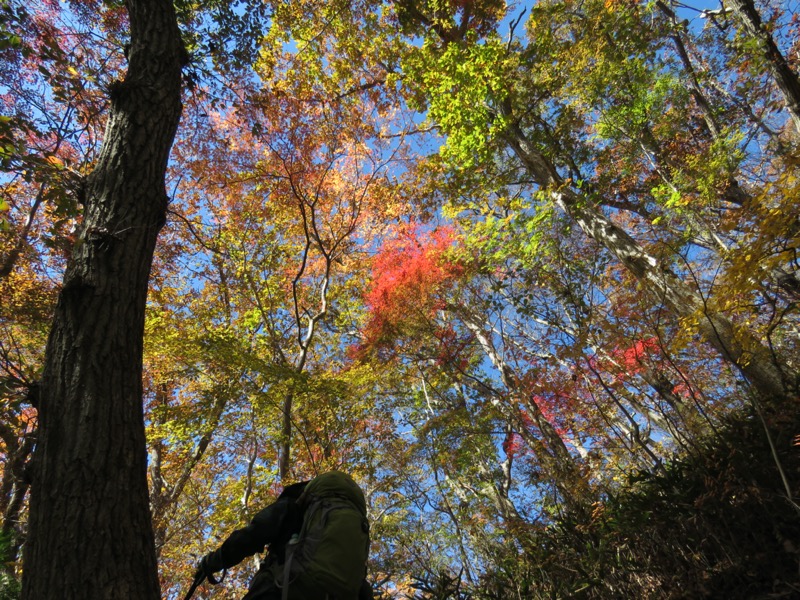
column 741, row 350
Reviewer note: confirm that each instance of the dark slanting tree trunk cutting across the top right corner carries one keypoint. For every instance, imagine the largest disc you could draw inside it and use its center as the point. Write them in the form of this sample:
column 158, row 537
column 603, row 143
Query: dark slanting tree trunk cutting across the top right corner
column 783, row 75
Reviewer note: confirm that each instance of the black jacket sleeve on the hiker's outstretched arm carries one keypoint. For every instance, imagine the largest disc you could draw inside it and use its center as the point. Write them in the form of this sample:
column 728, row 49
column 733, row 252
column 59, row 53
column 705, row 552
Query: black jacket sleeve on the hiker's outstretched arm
column 262, row 531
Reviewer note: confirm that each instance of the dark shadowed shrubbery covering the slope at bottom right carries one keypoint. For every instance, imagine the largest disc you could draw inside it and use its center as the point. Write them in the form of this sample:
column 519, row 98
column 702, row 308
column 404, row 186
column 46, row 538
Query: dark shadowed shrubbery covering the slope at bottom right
column 716, row 524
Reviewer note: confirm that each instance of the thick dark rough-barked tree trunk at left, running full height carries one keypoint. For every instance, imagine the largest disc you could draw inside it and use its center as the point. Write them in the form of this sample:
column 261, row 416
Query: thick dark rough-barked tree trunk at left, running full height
column 90, row 533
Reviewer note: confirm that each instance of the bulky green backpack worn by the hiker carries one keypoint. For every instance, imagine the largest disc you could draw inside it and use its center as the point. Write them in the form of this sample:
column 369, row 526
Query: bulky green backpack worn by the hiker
column 328, row 558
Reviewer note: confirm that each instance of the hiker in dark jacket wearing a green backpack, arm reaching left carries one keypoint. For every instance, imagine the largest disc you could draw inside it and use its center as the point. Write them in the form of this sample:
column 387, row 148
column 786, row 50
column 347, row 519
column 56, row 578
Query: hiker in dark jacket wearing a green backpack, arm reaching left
column 317, row 537
